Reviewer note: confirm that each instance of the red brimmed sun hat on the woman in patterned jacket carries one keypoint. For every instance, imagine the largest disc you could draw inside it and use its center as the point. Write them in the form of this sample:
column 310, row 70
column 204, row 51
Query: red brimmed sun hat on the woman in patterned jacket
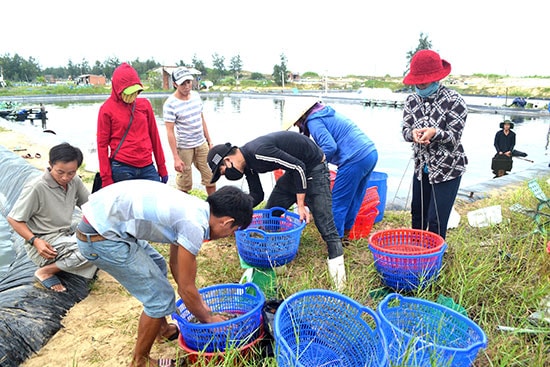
column 427, row 67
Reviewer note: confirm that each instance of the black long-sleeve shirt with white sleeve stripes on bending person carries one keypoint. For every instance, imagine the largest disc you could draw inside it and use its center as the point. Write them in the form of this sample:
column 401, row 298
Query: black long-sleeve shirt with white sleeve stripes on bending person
column 288, row 150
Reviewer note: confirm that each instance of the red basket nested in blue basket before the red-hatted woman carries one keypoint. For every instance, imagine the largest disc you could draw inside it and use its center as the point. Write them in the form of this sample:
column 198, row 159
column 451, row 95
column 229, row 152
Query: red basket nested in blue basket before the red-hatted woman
column 407, row 259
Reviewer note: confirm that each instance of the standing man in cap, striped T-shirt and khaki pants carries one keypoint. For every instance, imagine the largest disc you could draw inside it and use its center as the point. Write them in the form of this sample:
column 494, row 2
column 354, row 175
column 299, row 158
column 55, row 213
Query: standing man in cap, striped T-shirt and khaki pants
column 188, row 135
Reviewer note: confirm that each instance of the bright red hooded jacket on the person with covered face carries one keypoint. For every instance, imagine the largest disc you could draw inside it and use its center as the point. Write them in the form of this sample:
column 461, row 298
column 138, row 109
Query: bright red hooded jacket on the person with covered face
column 142, row 141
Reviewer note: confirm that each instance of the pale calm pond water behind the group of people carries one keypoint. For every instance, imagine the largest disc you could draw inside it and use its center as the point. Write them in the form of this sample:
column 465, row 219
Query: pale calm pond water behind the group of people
column 240, row 119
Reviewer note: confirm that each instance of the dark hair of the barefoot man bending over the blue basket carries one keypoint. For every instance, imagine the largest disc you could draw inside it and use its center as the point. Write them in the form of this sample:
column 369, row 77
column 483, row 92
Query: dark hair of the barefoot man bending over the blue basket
column 233, row 202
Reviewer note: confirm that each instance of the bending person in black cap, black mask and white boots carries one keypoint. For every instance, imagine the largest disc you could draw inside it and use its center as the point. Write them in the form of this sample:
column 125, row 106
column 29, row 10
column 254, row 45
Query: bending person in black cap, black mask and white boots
column 306, row 181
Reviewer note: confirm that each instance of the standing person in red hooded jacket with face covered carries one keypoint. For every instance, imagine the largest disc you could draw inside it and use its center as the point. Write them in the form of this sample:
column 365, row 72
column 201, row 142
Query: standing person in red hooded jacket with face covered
column 127, row 133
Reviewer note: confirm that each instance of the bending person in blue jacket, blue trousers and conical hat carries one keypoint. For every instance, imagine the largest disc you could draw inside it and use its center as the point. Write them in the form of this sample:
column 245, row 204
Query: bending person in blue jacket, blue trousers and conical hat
column 345, row 145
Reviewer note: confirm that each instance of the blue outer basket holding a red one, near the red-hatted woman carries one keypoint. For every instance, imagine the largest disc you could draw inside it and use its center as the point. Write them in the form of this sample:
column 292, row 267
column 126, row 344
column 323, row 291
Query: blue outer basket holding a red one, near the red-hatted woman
column 407, row 272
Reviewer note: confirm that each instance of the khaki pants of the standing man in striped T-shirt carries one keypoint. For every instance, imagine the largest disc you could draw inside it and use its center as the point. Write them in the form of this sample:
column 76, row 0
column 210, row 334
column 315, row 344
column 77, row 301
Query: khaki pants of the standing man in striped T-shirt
column 198, row 157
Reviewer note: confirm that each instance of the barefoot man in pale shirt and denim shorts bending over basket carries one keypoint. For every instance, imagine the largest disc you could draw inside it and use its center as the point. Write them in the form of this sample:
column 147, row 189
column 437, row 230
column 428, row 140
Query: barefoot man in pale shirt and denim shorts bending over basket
column 117, row 223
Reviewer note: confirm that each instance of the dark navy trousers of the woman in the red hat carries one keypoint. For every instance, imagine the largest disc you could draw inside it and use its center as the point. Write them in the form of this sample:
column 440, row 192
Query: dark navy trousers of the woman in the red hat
column 432, row 204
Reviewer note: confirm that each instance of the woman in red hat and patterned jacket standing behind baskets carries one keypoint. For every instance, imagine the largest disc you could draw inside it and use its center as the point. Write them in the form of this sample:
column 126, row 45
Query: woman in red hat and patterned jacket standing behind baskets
column 433, row 120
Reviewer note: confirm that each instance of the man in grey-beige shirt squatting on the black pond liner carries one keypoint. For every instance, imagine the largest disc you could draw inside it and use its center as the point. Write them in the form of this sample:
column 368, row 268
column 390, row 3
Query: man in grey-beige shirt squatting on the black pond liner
column 43, row 217
